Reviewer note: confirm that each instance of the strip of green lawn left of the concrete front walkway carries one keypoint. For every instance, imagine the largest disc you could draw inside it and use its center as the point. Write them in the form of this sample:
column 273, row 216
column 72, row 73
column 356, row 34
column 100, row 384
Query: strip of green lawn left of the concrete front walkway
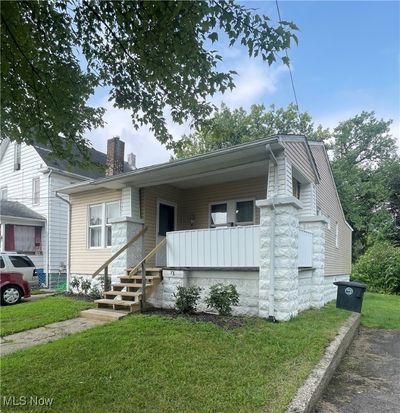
column 37, row 313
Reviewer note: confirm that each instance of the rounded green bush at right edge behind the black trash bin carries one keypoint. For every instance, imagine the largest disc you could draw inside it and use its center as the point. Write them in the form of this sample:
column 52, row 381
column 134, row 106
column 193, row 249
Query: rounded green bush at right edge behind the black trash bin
column 379, row 267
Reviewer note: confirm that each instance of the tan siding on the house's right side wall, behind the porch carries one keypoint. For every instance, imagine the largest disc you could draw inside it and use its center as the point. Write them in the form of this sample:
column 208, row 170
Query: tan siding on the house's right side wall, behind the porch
column 337, row 260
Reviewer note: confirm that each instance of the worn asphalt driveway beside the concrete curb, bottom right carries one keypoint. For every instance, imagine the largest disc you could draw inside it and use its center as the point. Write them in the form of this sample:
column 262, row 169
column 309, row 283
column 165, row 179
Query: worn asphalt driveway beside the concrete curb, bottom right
column 368, row 379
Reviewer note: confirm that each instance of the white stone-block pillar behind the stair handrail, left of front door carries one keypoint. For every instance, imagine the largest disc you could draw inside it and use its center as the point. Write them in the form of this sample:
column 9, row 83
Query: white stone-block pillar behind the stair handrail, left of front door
column 123, row 229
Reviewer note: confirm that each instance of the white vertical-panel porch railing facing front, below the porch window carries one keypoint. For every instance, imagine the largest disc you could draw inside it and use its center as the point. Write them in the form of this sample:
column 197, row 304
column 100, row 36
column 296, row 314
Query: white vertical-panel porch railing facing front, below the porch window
column 215, row 247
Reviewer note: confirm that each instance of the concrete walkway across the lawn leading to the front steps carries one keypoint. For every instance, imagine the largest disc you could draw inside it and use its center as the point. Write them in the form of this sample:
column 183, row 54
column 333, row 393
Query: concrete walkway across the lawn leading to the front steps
column 50, row 332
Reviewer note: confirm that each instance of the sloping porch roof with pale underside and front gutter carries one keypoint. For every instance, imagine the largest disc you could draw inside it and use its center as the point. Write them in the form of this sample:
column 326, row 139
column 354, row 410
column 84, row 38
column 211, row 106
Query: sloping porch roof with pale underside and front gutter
column 238, row 162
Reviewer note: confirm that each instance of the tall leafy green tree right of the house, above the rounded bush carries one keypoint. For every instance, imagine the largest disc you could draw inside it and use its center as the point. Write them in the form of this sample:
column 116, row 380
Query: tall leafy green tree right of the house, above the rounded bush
column 366, row 169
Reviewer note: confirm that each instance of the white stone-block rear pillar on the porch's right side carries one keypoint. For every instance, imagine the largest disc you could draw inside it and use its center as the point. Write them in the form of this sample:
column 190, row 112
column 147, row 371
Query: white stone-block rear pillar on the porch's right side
column 316, row 225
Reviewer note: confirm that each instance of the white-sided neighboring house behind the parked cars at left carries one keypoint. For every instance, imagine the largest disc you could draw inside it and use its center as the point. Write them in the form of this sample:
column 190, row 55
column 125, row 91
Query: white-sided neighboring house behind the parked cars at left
column 33, row 218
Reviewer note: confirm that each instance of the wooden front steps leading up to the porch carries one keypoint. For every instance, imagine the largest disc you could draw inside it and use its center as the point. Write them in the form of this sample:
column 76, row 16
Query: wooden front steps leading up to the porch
column 125, row 296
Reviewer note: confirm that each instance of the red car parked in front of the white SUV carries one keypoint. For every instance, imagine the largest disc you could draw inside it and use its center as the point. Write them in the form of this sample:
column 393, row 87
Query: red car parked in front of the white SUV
column 13, row 287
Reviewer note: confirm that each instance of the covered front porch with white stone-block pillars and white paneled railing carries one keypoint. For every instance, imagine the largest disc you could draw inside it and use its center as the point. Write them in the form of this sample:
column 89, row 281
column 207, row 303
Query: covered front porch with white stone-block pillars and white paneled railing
column 254, row 225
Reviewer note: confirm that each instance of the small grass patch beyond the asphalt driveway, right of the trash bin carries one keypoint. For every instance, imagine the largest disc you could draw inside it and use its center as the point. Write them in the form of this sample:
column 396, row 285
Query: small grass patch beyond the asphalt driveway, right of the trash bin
column 381, row 311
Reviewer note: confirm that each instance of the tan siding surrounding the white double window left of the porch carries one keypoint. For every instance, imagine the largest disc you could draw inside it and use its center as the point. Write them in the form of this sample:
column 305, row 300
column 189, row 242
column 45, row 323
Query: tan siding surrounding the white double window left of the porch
column 86, row 260
